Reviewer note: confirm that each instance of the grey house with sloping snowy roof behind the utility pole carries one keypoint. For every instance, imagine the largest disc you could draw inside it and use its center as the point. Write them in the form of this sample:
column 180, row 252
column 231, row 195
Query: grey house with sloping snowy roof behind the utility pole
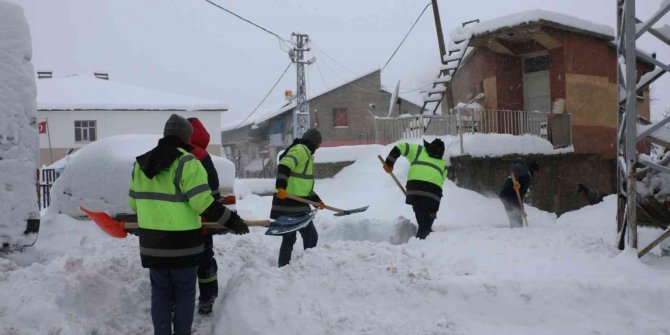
column 344, row 115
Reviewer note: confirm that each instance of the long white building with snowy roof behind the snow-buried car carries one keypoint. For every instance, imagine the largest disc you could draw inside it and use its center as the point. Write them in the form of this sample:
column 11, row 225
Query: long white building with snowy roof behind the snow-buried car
column 80, row 109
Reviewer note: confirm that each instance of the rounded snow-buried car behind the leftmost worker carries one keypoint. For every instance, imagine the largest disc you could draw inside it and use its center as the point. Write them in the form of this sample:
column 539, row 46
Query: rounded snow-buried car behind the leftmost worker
column 97, row 176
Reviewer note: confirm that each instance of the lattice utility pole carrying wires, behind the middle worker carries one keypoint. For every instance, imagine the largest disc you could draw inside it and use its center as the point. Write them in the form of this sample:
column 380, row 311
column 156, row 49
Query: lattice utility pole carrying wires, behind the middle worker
column 301, row 113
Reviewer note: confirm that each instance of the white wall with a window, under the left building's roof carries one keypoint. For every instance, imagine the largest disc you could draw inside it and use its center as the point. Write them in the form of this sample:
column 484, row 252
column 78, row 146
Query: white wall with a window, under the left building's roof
column 110, row 123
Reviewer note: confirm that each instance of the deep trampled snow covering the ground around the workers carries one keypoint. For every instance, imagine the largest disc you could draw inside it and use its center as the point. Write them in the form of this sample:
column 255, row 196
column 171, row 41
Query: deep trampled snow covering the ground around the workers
column 368, row 275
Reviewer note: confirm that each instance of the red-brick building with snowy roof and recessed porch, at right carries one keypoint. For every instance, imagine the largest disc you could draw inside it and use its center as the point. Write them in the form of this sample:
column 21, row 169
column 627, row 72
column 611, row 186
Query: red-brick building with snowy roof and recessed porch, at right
column 544, row 61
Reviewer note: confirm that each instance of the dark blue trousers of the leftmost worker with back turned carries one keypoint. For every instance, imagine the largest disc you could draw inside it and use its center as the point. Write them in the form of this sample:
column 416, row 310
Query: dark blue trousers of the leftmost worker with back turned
column 172, row 300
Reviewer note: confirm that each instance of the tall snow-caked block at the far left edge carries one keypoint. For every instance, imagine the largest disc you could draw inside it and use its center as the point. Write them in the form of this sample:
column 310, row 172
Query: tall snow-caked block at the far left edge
column 19, row 142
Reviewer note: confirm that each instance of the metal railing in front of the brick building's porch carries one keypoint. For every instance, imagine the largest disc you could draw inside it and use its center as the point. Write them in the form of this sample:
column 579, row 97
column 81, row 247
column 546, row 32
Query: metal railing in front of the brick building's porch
column 460, row 121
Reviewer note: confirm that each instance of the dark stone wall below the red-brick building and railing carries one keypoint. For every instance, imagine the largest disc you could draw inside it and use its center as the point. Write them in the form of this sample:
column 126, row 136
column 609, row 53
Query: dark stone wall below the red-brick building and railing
column 554, row 188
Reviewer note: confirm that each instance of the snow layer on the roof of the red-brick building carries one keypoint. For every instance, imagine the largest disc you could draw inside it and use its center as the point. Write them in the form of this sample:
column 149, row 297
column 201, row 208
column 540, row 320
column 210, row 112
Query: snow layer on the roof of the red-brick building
column 539, row 15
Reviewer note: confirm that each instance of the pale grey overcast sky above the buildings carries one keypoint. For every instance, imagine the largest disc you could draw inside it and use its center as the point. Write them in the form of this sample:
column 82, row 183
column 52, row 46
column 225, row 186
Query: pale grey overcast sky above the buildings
column 193, row 48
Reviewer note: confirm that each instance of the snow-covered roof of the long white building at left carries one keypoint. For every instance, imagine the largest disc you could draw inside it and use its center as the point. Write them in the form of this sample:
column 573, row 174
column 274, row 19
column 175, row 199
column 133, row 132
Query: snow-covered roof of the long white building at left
column 81, row 92
